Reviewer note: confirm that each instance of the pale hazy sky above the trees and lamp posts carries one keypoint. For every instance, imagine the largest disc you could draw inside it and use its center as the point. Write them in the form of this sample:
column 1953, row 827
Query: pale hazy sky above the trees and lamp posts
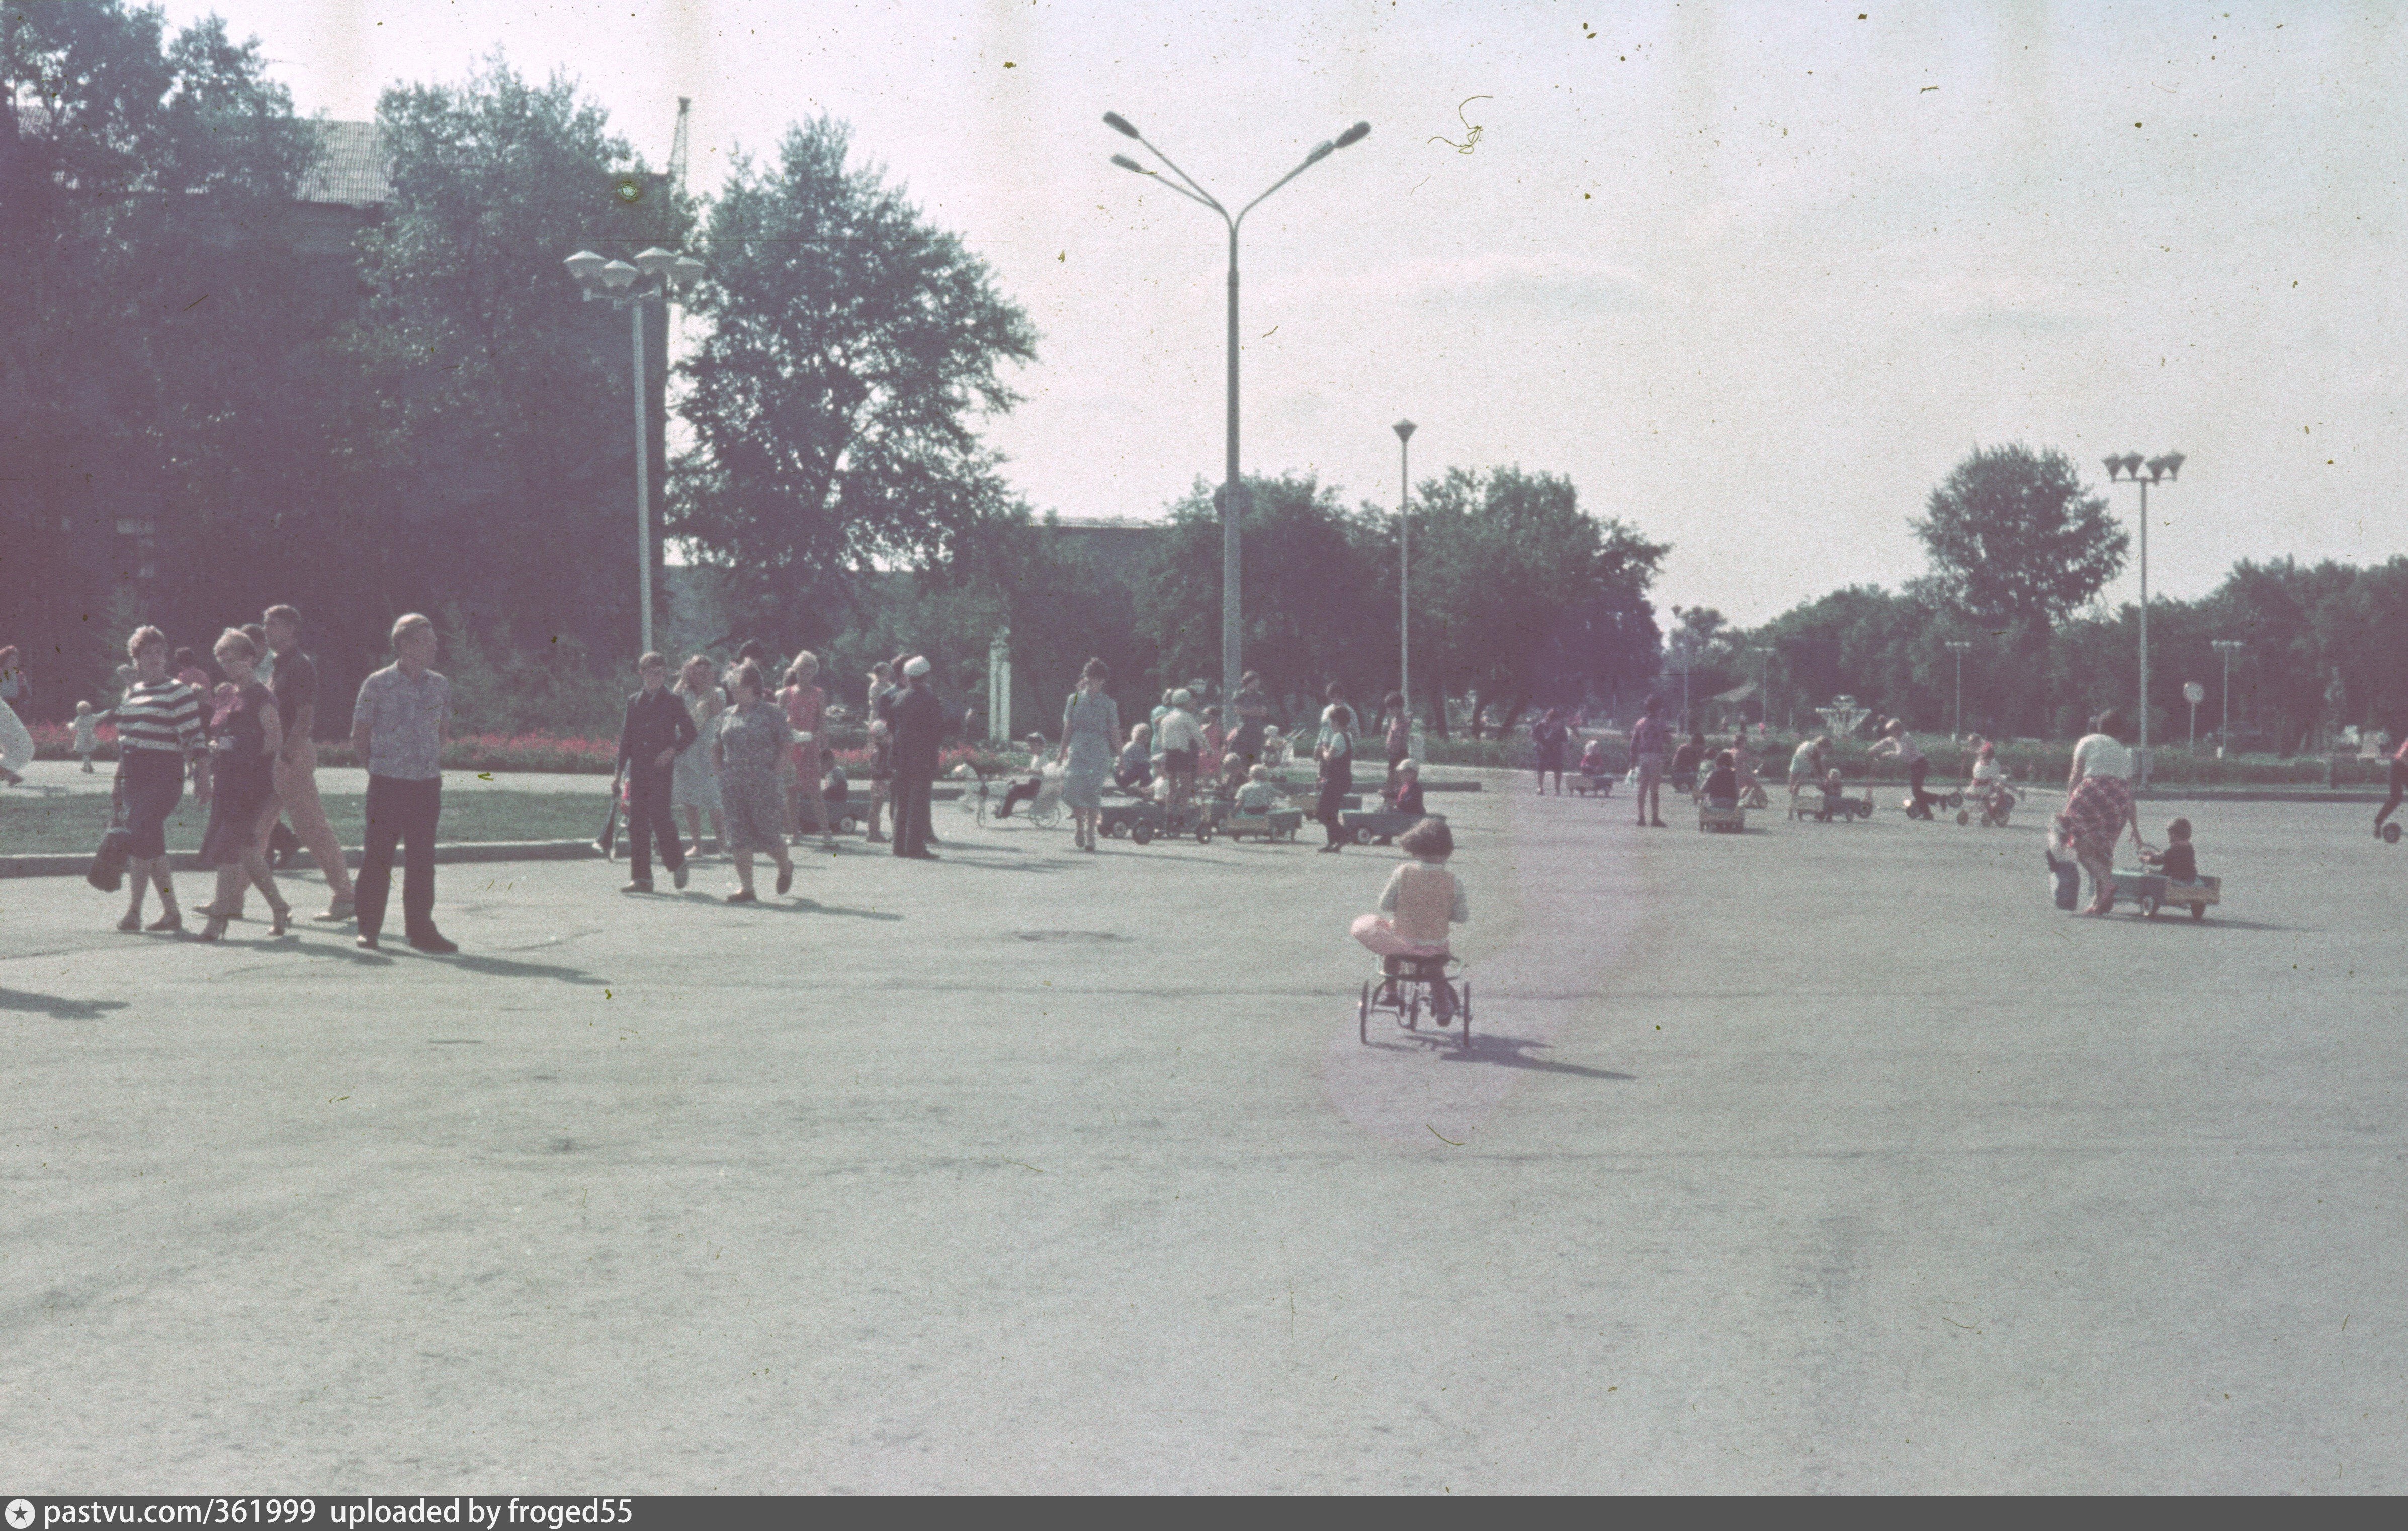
column 1752, row 276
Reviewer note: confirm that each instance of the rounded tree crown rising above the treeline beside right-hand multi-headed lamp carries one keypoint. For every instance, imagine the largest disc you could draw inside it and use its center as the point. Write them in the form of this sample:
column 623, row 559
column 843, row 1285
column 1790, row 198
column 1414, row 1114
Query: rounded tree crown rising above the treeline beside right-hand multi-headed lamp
column 2017, row 538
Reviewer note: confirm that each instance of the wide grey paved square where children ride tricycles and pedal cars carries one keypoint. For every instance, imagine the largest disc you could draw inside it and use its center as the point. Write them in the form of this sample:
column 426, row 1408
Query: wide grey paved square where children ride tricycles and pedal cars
column 1817, row 1159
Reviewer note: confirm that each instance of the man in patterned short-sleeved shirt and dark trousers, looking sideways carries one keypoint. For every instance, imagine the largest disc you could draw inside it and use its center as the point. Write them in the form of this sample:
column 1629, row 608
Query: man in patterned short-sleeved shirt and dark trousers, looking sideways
column 399, row 731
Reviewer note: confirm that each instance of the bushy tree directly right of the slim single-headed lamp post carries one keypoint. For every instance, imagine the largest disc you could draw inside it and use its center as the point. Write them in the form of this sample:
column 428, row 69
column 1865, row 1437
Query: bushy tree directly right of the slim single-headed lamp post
column 1523, row 596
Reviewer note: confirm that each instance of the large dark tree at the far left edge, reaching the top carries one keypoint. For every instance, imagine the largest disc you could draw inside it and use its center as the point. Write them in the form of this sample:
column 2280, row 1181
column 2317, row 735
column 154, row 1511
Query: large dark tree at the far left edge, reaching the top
column 158, row 348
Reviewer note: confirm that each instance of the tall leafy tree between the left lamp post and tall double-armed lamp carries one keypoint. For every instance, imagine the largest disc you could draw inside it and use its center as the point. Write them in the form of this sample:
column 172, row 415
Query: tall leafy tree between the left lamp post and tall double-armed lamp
column 854, row 348
